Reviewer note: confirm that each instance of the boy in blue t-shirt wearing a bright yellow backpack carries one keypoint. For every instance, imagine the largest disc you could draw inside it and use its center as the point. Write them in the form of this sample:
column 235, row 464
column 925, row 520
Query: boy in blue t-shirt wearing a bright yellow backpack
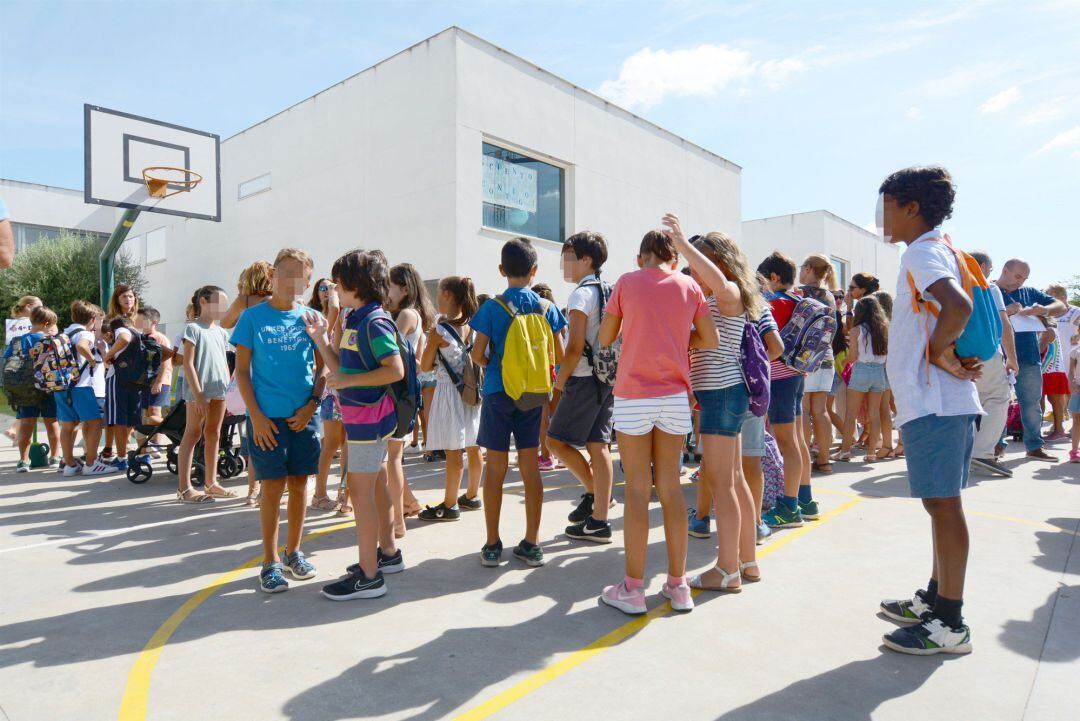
column 521, row 331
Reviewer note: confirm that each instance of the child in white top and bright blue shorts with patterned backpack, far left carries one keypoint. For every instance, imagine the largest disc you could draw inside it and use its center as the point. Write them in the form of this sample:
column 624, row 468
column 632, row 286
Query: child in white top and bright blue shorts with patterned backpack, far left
column 69, row 362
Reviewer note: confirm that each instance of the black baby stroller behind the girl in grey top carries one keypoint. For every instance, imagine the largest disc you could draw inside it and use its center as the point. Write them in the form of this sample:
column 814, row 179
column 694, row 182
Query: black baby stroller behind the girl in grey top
column 231, row 462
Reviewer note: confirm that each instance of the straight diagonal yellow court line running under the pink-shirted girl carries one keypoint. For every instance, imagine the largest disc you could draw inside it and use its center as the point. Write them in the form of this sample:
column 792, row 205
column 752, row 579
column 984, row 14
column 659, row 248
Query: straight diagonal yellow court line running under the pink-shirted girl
column 539, row 679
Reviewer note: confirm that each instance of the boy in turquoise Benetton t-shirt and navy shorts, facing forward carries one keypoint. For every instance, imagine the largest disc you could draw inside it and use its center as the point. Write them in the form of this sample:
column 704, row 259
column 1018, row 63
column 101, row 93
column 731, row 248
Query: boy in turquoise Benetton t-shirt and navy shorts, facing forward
column 280, row 377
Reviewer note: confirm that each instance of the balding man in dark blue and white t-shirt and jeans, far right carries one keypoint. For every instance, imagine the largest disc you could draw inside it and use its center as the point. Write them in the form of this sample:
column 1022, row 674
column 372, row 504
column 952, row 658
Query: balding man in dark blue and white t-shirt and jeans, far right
column 1024, row 307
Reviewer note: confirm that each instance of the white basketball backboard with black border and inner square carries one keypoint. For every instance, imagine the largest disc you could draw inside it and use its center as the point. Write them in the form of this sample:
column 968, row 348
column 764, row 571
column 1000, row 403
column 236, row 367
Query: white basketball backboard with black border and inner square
column 120, row 146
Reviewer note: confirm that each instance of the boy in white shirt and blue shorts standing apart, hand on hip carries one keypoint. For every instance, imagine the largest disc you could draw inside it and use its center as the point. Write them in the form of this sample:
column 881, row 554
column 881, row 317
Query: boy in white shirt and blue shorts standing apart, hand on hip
column 937, row 402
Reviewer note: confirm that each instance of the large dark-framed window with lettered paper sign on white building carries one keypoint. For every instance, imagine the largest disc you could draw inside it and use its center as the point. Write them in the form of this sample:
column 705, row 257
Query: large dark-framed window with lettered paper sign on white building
column 522, row 195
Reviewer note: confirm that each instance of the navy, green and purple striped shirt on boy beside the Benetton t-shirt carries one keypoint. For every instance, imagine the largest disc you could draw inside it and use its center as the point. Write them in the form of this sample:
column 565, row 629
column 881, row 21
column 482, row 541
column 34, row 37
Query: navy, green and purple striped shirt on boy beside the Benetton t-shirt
column 368, row 413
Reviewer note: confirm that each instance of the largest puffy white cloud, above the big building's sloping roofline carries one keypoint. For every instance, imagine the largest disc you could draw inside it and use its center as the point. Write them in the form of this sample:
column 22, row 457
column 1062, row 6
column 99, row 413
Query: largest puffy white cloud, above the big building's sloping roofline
column 649, row 77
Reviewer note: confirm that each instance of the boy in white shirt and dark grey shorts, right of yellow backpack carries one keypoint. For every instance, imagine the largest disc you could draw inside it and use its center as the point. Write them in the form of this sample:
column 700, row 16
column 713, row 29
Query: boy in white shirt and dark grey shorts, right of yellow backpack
column 584, row 418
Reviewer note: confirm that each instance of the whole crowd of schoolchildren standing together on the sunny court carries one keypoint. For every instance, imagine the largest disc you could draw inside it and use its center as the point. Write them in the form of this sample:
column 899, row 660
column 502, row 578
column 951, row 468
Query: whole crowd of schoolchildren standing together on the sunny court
column 658, row 358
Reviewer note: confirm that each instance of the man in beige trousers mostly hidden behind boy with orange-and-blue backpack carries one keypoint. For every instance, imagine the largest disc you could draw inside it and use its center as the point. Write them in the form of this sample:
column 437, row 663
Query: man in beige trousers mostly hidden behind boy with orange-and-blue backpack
column 993, row 386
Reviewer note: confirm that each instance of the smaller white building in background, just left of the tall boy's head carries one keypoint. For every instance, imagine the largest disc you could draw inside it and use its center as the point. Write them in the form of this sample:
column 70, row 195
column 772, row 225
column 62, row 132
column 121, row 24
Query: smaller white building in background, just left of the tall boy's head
column 852, row 249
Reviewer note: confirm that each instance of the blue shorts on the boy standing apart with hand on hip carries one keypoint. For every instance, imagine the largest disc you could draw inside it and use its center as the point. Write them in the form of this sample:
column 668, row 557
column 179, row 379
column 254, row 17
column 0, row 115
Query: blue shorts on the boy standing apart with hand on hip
column 938, row 451
